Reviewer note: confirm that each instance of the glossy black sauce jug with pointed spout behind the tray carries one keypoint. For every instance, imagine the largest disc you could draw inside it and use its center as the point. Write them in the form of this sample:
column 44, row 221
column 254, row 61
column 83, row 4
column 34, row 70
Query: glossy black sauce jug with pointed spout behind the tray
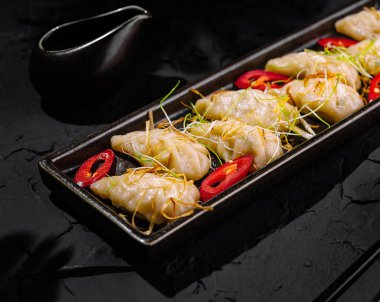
column 88, row 58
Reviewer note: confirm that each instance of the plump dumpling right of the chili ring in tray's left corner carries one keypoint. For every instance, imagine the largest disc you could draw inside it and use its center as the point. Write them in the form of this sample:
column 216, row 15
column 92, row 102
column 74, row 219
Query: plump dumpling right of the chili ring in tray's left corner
column 168, row 147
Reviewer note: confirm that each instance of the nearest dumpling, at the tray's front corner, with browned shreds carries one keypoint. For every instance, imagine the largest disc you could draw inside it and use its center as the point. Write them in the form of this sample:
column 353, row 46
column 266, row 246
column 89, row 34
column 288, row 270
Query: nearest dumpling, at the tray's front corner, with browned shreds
column 154, row 197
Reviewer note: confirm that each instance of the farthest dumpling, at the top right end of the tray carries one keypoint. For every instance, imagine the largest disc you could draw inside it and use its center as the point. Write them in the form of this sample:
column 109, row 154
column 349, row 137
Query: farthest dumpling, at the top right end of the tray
column 360, row 26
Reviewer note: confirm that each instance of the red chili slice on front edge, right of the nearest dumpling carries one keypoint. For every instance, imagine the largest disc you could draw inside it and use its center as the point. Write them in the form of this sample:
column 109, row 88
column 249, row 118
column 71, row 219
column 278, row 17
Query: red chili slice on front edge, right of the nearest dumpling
column 225, row 176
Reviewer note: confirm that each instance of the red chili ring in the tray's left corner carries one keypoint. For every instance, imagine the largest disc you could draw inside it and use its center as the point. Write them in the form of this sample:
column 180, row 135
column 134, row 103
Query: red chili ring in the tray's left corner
column 85, row 177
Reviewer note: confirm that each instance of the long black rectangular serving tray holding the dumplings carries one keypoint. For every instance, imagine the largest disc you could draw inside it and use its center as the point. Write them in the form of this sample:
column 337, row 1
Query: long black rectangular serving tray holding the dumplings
column 58, row 167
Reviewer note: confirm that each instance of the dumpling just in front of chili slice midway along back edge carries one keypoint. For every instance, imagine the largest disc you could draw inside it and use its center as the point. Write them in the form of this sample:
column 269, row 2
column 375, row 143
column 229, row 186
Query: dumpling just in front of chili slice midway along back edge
column 251, row 106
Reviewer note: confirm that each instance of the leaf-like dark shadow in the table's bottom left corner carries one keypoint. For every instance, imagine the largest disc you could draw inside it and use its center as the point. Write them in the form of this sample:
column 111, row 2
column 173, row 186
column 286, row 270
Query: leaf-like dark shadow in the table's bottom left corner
column 28, row 267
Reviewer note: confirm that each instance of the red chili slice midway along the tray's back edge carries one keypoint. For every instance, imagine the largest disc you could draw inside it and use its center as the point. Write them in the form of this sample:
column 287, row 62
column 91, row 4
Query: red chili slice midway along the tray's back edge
column 261, row 79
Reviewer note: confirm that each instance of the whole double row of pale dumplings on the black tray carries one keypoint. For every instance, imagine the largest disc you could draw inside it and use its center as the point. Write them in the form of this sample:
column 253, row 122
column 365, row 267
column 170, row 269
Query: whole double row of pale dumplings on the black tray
column 324, row 85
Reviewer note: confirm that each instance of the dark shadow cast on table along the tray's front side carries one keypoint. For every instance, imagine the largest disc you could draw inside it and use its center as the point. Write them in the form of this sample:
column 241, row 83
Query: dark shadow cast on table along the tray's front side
column 224, row 239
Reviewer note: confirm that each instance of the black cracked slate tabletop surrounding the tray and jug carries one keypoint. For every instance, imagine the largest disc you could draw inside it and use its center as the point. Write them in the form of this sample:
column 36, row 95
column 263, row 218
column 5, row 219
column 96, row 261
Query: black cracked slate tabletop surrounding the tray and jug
column 289, row 244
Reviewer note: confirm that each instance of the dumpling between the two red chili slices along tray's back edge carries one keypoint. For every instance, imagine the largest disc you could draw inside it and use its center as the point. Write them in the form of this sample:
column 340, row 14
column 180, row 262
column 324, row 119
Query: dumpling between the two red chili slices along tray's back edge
column 308, row 62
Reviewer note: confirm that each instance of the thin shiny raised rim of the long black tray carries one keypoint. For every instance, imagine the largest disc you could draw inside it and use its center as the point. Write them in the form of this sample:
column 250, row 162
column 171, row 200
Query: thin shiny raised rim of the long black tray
column 47, row 162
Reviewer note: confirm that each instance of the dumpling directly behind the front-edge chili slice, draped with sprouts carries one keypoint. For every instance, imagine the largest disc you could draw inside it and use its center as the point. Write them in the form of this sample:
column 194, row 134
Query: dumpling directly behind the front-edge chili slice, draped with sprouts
column 232, row 139
